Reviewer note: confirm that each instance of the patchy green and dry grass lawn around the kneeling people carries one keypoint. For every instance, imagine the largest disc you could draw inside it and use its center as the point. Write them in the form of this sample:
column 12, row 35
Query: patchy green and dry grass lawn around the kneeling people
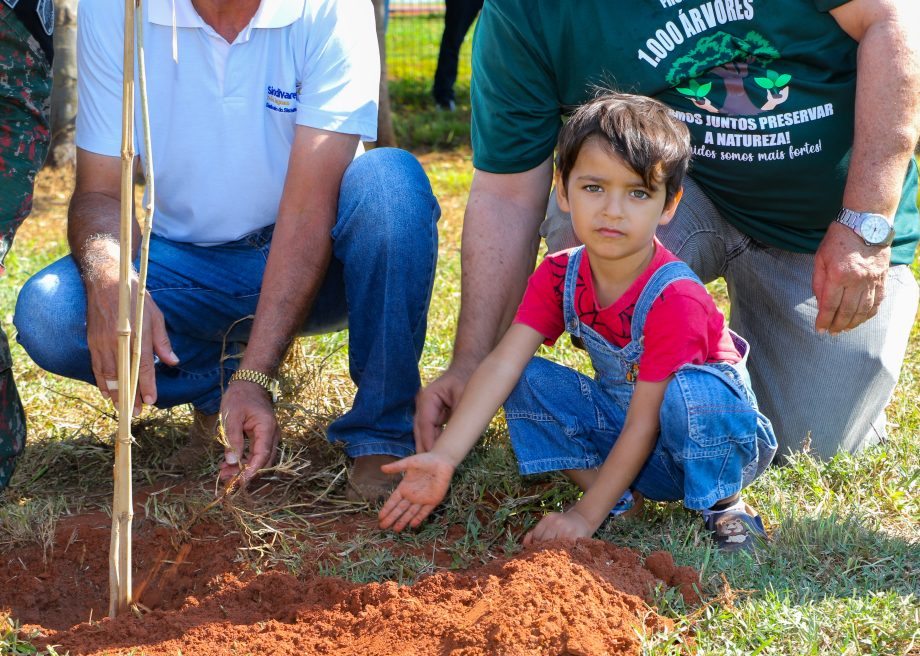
column 842, row 575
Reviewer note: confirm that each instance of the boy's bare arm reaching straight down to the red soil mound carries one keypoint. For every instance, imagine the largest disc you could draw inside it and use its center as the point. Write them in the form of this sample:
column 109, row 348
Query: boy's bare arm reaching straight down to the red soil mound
column 633, row 447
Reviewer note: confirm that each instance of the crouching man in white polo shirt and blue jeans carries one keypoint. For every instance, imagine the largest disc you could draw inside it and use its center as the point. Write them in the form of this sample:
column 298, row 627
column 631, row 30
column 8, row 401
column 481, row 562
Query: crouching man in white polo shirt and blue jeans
column 266, row 224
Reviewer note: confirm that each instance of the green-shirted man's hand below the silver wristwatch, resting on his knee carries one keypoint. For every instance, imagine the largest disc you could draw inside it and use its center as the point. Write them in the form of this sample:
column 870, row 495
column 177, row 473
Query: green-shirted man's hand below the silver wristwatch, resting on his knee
column 848, row 280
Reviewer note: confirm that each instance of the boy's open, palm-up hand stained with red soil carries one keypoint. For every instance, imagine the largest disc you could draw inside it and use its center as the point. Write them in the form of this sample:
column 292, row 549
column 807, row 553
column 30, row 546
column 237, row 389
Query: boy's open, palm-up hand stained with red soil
column 426, row 477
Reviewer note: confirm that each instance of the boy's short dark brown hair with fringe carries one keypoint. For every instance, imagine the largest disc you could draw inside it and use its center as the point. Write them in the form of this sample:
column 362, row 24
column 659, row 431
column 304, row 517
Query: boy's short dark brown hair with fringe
column 638, row 129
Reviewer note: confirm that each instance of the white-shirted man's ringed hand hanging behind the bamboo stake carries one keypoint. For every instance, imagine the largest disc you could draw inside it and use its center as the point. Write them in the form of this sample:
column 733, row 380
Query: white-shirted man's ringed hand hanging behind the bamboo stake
column 102, row 338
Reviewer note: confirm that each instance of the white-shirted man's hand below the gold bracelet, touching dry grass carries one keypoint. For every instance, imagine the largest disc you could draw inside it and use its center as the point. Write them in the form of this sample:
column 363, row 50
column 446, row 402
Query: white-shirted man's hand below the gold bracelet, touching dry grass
column 246, row 411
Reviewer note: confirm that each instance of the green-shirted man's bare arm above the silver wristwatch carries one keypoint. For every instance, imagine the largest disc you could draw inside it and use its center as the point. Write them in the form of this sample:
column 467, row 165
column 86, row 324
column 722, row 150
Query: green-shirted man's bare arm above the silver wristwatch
column 887, row 106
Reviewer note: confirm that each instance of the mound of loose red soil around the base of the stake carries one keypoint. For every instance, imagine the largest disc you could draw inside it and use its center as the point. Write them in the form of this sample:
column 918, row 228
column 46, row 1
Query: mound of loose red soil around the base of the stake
column 200, row 598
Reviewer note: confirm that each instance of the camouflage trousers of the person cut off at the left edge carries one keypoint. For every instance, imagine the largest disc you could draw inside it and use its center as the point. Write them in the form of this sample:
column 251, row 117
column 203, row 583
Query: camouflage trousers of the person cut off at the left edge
column 25, row 103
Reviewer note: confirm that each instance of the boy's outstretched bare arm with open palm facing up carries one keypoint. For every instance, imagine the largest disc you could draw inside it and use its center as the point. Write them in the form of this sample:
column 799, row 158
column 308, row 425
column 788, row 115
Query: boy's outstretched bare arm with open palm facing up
column 427, row 475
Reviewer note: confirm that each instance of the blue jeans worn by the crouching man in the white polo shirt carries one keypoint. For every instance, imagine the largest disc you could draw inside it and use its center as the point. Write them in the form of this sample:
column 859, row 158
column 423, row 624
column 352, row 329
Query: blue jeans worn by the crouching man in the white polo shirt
column 378, row 285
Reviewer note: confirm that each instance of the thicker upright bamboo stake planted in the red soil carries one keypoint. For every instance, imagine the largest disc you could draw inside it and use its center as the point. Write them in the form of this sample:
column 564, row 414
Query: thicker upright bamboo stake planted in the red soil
column 122, row 504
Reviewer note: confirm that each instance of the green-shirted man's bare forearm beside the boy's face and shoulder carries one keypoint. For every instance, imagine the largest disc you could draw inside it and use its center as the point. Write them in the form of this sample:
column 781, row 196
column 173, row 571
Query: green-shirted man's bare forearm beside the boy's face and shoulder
column 499, row 246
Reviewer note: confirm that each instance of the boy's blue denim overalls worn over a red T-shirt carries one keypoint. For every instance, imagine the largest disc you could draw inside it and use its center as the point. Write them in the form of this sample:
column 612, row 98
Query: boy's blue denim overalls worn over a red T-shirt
column 712, row 440
